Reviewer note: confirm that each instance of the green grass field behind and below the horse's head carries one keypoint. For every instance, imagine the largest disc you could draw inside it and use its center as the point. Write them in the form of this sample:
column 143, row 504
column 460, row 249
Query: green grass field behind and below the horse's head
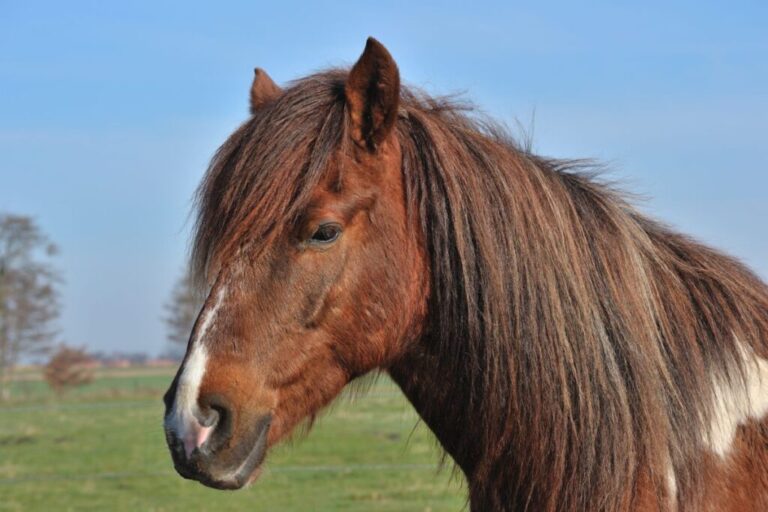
column 102, row 448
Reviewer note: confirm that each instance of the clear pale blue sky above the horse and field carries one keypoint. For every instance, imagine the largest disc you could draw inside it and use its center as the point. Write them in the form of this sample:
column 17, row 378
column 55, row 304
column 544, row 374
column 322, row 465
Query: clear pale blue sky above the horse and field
column 109, row 113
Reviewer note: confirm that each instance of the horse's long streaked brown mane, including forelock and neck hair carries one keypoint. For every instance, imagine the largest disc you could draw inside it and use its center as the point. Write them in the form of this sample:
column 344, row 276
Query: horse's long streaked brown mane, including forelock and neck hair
column 583, row 340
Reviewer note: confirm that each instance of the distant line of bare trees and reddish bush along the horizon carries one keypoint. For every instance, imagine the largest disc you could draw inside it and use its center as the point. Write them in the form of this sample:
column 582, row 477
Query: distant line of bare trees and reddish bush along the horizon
column 29, row 308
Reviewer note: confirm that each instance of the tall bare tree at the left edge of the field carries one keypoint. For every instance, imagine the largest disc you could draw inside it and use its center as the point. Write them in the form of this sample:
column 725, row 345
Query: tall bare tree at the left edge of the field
column 28, row 293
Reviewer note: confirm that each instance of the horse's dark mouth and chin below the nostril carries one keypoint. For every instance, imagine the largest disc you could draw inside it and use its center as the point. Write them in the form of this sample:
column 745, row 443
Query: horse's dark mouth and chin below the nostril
column 225, row 464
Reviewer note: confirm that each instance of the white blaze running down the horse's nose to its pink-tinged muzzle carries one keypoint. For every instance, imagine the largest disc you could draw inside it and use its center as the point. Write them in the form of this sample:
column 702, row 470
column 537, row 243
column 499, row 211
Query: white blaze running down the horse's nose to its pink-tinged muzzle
column 183, row 417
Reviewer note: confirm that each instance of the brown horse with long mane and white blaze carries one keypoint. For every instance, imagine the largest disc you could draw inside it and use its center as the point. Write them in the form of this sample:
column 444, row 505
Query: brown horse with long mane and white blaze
column 568, row 353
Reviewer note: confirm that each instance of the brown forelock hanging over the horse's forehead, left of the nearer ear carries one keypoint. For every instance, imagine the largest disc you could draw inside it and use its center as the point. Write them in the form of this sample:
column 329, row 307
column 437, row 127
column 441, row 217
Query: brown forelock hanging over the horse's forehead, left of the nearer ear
column 261, row 178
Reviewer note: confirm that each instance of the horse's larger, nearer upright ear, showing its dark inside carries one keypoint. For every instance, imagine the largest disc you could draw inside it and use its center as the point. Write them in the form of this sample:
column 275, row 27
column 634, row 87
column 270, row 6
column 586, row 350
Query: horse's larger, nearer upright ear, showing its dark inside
column 373, row 94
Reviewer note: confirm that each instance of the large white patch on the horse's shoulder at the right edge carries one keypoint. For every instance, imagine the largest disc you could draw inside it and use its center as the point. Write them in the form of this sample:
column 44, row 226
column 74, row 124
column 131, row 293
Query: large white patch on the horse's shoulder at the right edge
column 737, row 401
